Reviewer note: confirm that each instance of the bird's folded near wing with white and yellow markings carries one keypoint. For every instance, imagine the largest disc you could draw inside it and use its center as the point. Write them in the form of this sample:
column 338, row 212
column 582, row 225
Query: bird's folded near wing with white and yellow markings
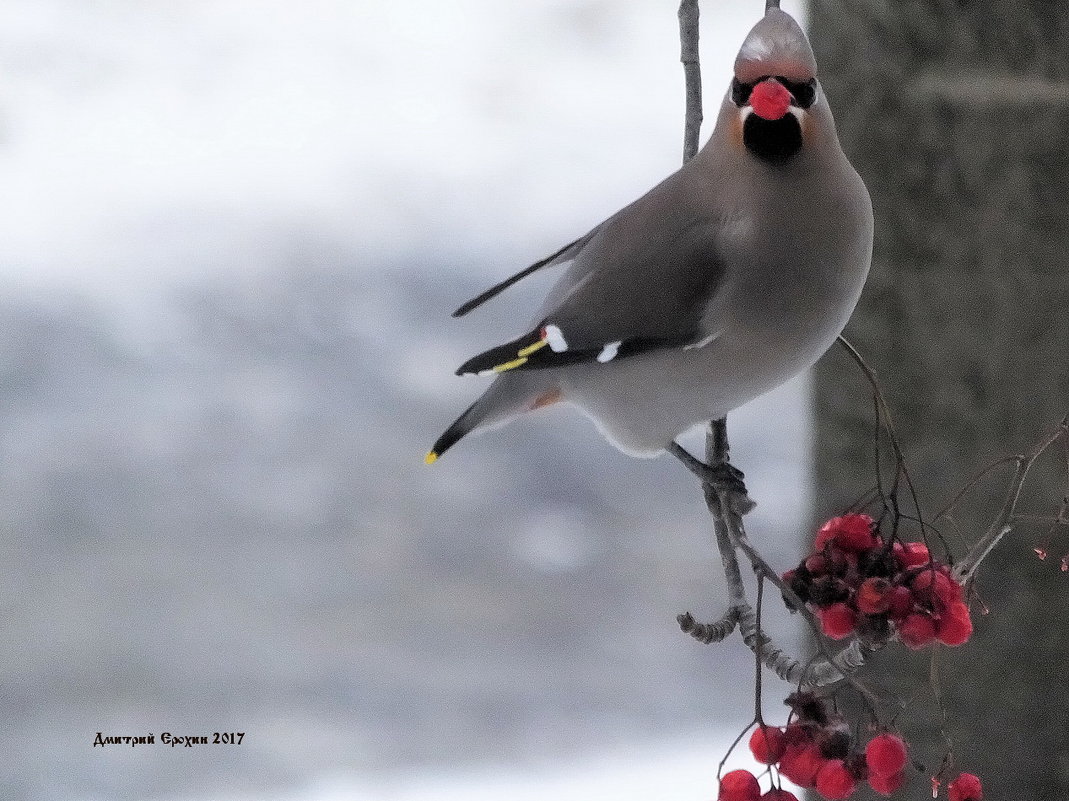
column 631, row 291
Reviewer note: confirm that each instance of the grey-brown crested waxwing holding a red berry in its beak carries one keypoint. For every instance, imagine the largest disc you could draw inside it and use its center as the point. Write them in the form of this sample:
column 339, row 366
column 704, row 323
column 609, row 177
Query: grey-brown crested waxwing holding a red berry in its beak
column 729, row 279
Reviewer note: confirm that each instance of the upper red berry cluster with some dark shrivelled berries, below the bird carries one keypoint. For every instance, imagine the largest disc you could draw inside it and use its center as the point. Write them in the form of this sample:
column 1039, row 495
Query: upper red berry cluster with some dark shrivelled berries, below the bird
column 861, row 584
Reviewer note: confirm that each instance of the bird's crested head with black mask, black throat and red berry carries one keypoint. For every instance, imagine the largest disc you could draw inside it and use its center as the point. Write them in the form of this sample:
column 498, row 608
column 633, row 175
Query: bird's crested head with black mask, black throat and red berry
column 774, row 91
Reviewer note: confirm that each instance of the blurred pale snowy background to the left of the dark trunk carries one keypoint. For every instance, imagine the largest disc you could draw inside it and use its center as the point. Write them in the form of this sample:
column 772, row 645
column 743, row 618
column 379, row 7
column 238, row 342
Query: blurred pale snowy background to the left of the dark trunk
column 233, row 237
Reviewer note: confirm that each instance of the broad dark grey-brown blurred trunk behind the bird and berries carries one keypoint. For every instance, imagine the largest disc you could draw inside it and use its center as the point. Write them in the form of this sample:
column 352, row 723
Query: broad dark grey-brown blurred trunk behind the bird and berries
column 957, row 116
